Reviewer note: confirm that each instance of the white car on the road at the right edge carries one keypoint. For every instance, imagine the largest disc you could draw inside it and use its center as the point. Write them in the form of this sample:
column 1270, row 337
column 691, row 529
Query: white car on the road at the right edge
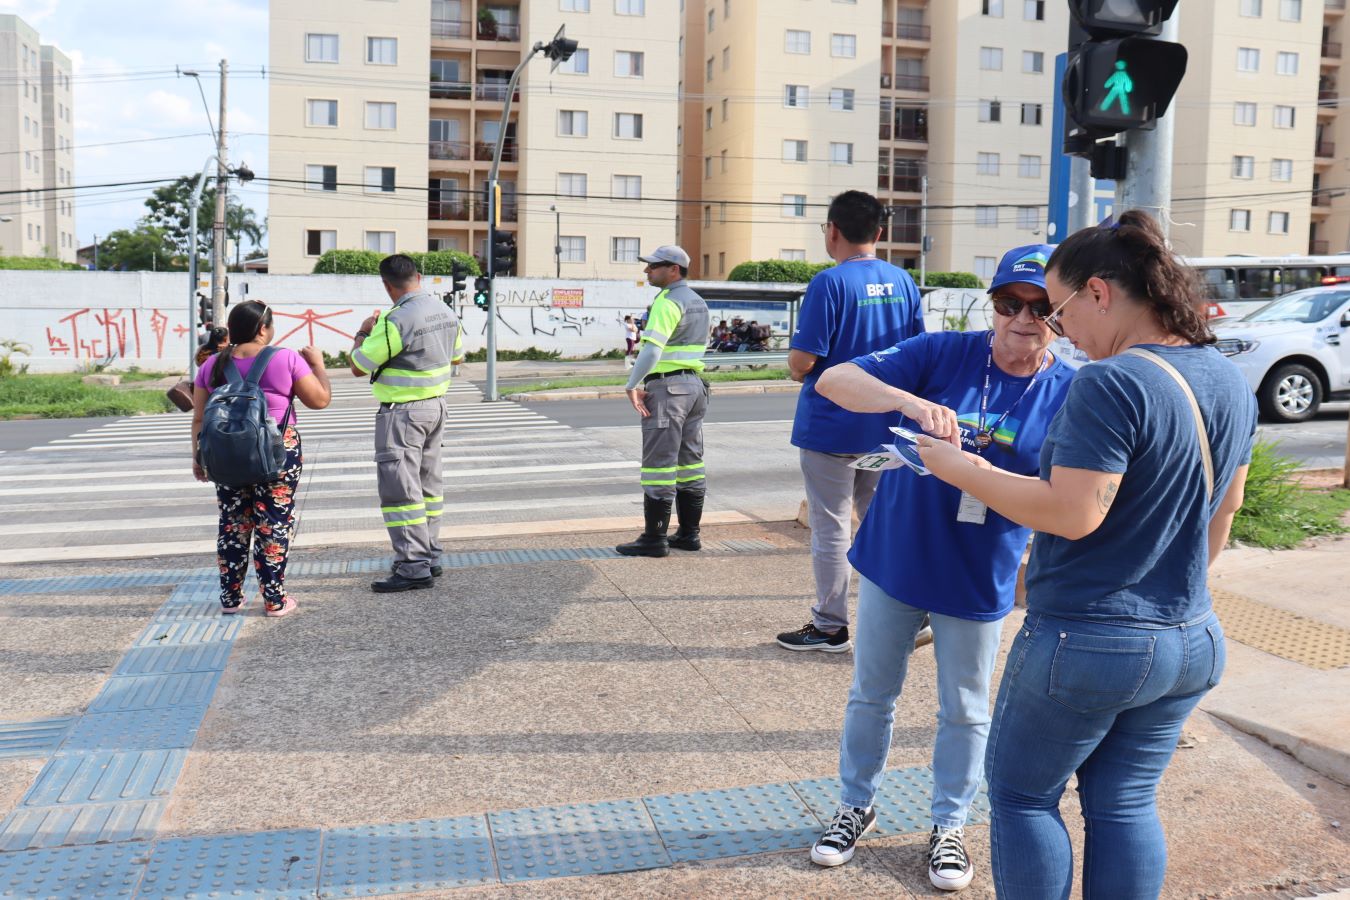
column 1294, row 351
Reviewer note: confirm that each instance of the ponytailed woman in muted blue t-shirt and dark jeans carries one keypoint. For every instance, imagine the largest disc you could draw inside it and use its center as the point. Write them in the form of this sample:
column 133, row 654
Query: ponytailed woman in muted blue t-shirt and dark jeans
column 1133, row 504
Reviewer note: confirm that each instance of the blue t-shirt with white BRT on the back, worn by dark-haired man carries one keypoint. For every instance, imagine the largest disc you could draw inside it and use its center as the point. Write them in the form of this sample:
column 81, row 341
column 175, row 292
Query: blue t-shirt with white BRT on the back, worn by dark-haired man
column 851, row 310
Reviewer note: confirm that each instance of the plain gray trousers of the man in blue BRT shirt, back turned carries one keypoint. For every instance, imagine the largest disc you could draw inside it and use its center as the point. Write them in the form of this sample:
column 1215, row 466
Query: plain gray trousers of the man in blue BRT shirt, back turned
column 834, row 493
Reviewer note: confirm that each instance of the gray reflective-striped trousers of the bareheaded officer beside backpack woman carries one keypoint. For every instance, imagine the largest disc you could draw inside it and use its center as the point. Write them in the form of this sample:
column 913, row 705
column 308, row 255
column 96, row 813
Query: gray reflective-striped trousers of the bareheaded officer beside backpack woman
column 408, row 463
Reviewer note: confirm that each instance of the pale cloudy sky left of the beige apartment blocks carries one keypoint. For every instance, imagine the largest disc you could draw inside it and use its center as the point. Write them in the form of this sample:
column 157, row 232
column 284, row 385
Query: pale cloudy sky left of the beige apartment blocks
column 134, row 118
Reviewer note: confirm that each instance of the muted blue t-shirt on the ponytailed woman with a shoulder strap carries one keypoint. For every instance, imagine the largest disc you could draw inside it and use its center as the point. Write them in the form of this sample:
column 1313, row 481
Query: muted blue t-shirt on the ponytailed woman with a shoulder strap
column 1148, row 561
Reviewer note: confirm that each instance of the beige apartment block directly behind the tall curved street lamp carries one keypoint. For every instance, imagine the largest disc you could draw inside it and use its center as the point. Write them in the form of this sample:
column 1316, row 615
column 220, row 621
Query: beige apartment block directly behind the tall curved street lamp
column 385, row 117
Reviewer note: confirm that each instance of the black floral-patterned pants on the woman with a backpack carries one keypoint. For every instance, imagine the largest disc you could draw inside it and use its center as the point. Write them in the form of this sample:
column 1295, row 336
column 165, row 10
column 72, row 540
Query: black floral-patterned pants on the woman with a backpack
column 261, row 516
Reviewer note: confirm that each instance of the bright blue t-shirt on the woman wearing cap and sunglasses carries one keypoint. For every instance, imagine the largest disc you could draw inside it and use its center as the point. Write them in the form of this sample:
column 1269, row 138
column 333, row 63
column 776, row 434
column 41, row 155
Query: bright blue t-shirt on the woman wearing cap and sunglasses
column 911, row 544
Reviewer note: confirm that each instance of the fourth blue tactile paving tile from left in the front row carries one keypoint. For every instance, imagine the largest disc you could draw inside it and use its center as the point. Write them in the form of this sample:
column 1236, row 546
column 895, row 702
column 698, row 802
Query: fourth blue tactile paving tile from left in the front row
column 593, row 839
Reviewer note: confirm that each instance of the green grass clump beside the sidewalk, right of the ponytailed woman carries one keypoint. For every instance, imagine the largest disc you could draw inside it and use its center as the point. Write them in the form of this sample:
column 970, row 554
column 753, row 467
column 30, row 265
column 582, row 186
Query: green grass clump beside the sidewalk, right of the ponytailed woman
column 1278, row 513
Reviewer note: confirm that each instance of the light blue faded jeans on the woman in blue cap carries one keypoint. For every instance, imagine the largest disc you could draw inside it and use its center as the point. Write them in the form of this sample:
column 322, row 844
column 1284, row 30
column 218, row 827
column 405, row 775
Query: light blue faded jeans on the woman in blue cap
column 882, row 646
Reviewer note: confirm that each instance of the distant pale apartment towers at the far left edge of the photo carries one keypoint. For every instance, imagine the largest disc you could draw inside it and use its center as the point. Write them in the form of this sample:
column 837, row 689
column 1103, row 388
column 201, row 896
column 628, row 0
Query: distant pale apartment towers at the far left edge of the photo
column 37, row 146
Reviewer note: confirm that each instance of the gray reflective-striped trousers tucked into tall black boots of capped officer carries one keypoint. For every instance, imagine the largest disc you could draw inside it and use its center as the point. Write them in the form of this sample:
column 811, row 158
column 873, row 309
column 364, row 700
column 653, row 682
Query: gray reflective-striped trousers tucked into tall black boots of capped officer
column 673, row 435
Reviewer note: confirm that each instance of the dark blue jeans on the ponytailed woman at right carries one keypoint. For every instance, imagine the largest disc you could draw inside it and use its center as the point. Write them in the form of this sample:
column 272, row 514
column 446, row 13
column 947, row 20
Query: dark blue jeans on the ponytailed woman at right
column 1106, row 702
